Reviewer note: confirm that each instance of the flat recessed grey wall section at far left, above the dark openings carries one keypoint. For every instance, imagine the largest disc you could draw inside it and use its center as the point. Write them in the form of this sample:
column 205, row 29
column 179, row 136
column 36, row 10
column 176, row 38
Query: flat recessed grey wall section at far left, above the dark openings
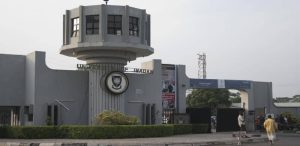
column 12, row 80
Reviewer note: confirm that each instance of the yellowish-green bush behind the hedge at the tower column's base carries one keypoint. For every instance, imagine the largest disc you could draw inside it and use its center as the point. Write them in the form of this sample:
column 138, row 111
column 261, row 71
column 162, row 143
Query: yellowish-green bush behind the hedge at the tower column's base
column 116, row 118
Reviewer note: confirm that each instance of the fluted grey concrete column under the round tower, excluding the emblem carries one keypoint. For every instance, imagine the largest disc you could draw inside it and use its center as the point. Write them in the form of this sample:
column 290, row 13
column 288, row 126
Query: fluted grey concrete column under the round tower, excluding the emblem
column 100, row 98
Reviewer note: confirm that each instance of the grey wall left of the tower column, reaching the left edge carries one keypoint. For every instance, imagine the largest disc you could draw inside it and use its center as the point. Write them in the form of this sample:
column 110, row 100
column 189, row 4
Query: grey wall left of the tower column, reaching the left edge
column 29, row 88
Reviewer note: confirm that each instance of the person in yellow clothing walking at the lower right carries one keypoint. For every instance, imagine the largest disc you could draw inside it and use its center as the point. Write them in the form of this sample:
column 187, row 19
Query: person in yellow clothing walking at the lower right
column 270, row 127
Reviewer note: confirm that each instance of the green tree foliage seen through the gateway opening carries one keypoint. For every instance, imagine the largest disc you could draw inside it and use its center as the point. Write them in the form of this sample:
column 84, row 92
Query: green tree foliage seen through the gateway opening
column 212, row 98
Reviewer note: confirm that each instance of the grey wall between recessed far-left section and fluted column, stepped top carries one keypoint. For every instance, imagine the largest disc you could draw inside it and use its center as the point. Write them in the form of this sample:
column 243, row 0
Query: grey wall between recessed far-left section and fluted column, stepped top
column 68, row 87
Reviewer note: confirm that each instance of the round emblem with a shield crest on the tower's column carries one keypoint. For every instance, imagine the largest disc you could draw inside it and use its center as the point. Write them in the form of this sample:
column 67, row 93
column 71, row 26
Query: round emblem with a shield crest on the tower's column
column 116, row 82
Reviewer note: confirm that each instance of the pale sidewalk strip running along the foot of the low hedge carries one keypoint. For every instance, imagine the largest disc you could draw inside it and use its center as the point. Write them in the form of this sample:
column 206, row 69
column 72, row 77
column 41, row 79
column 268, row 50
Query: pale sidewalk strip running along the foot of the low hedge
column 222, row 138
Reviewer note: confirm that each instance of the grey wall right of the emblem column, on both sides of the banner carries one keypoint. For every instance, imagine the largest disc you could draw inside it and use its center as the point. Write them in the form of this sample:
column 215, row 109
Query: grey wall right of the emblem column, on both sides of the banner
column 147, row 89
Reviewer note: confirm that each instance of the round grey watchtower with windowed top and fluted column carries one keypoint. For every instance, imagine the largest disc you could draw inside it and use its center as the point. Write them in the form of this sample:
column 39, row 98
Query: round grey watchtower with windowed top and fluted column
column 107, row 37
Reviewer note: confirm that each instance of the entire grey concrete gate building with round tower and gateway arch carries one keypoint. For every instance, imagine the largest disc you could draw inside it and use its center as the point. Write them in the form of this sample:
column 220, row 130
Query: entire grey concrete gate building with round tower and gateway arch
column 106, row 37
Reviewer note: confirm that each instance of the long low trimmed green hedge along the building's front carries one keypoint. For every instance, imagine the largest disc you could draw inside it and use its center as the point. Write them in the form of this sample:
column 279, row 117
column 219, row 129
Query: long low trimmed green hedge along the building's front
column 98, row 132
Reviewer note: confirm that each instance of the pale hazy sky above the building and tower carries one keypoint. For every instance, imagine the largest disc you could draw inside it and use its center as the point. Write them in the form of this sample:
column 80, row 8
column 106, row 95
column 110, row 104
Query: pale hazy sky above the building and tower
column 256, row 40
